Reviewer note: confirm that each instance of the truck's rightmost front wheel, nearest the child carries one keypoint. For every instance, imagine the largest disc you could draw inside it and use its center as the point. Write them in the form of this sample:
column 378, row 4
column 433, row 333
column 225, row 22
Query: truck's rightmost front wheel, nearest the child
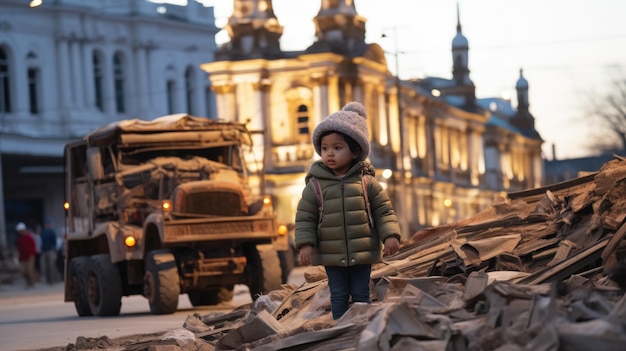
column 263, row 270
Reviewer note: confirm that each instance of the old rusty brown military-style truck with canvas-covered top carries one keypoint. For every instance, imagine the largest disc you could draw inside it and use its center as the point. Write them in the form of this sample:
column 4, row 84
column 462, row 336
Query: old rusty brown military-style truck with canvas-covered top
column 167, row 207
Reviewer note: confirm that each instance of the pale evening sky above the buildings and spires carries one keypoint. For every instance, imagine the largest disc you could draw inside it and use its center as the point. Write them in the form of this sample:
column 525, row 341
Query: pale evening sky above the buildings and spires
column 570, row 51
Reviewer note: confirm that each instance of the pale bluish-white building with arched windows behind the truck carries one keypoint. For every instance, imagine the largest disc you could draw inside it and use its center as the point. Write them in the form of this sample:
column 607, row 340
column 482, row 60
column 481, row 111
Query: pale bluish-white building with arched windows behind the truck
column 70, row 66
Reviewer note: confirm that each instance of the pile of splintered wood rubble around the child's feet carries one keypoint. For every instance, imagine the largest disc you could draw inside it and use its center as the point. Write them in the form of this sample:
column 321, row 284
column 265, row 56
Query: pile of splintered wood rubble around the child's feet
column 542, row 269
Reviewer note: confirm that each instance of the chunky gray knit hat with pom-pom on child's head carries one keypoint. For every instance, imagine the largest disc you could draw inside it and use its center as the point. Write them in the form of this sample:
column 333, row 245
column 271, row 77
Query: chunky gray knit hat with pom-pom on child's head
column 351, row 121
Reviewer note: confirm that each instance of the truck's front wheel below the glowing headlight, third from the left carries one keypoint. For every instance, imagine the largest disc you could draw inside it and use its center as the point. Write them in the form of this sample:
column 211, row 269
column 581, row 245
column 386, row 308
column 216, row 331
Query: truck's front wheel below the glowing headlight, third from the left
column 161, row 285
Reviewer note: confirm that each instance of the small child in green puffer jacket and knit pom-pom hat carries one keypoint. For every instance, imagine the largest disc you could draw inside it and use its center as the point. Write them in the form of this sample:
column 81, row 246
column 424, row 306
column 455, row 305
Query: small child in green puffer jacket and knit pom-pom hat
column 341, row 238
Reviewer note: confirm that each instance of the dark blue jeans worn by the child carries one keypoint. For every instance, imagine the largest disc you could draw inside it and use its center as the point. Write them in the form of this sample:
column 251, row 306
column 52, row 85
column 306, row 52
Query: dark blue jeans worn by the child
column 346, row 282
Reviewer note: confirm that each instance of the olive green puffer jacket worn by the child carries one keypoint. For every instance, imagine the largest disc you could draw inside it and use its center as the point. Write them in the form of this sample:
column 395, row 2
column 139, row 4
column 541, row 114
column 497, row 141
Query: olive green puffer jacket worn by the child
column 343, row 236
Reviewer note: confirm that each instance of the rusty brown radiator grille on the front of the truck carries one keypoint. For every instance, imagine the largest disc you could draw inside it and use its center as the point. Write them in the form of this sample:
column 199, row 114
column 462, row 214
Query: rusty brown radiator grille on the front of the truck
column 213, row 203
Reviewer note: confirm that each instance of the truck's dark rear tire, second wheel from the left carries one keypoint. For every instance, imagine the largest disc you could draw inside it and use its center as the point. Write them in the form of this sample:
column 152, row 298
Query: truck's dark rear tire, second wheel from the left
column 104, row 286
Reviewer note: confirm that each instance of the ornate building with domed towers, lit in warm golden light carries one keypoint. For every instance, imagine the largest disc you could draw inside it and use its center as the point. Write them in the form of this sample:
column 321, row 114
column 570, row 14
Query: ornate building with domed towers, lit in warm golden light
column 442, row 153
